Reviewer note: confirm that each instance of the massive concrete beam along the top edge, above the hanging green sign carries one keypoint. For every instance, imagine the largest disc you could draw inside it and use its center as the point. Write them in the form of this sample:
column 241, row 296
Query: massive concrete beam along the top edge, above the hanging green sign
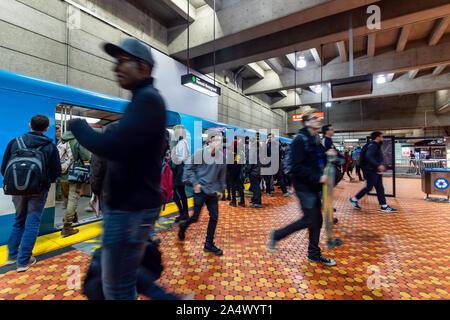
column 241, row 21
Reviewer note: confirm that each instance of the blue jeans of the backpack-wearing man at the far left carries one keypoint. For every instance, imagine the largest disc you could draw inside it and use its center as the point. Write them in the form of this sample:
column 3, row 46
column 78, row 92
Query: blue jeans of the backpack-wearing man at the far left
column 26, row 227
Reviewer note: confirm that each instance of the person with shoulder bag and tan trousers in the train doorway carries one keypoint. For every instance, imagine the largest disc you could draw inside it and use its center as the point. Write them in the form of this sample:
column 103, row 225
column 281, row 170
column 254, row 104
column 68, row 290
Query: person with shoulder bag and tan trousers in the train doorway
column 72, row 179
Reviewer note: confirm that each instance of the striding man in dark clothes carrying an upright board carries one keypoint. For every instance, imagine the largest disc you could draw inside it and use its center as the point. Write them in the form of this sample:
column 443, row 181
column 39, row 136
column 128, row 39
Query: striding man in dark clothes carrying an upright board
column 308, row 179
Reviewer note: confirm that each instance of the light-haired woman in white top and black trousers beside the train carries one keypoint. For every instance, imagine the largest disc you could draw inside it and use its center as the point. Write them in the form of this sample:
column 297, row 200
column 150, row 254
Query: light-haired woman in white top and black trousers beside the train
column 179, row 157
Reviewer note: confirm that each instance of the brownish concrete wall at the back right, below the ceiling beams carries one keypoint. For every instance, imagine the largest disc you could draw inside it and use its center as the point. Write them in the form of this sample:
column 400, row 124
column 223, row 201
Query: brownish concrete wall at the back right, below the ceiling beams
column 410, row 111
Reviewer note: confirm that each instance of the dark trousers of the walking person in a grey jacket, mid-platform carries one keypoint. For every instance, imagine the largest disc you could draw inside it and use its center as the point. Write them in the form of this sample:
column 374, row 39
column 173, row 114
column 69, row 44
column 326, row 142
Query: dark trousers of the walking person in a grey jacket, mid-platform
column 212, row 203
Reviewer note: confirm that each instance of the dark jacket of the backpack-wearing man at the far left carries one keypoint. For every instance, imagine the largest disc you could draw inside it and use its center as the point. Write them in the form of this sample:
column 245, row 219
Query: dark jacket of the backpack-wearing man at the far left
column 34, row 140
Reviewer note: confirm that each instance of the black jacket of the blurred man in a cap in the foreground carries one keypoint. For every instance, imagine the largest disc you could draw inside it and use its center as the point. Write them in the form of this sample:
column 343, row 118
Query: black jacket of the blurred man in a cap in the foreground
column 134, row 149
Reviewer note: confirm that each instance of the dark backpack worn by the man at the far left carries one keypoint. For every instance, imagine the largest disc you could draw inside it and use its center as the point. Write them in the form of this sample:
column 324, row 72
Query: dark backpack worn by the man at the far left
column 26, row 172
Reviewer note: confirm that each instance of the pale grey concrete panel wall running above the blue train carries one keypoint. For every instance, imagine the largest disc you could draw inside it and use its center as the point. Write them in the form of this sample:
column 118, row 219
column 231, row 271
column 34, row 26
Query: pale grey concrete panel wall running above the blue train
column 35, row 40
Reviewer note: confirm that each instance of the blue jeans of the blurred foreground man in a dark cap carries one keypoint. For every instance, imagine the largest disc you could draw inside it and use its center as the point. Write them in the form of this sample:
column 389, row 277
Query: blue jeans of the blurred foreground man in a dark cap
column 125, row 235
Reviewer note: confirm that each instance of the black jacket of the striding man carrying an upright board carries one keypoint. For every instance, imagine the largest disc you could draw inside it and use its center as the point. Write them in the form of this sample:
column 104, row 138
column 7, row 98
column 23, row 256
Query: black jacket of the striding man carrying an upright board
column 306, row 157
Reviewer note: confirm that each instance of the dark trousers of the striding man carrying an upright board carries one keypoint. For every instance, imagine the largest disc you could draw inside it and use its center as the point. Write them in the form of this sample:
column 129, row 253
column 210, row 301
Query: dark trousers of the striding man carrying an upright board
column 311, row 205
